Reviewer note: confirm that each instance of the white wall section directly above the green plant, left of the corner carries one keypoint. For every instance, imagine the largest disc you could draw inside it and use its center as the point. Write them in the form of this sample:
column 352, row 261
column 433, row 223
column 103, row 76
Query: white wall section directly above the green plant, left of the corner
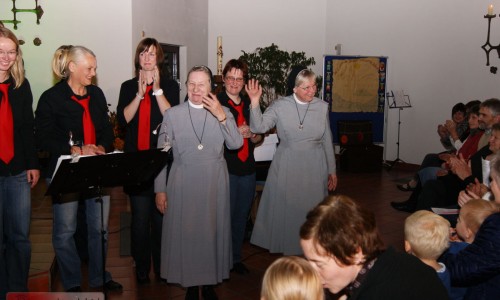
column 293, row 25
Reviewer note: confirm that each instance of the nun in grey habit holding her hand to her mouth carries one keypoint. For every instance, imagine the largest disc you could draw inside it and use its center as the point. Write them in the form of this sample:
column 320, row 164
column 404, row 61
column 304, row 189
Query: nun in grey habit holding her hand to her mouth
column 196, row 237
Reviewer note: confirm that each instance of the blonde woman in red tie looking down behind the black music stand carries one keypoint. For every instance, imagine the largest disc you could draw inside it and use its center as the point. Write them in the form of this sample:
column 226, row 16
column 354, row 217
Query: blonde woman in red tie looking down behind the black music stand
column 71, row 118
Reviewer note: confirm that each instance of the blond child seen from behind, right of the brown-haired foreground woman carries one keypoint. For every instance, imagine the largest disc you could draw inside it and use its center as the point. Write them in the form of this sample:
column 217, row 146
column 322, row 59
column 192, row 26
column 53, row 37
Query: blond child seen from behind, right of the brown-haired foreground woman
column 427, row 237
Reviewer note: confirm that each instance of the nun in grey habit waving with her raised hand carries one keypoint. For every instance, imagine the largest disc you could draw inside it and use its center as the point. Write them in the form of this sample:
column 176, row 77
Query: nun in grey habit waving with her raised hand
column 303, row 168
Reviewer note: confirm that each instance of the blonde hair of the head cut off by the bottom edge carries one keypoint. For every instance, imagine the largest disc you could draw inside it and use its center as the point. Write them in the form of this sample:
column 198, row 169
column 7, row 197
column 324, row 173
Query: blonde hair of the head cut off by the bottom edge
column 291, row 278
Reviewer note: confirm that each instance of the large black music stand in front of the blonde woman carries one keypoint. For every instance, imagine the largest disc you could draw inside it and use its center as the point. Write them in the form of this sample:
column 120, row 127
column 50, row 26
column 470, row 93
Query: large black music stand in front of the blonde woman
column 85, row 174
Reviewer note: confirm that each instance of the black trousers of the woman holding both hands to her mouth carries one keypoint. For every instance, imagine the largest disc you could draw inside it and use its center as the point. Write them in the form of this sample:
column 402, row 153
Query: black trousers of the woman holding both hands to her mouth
column 145, row 233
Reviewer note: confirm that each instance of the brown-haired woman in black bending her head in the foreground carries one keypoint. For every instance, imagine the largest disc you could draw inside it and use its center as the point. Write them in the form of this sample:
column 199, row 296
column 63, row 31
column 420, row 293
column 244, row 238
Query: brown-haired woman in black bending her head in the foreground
column 341, row 241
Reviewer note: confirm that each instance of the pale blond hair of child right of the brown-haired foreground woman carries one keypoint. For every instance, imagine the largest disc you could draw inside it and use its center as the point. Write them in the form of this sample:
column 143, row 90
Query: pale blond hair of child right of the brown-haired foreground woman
column 427, row 233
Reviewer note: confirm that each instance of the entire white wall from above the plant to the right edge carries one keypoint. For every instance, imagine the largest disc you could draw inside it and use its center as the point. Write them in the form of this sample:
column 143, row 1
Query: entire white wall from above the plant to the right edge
column 433, row 48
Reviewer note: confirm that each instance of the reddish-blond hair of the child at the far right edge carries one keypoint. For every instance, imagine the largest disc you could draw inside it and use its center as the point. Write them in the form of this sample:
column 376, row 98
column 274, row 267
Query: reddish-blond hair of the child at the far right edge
column 475, row 211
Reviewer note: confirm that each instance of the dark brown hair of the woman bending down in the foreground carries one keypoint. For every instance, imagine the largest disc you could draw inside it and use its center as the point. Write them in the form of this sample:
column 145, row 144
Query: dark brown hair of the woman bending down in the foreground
column 343, row 228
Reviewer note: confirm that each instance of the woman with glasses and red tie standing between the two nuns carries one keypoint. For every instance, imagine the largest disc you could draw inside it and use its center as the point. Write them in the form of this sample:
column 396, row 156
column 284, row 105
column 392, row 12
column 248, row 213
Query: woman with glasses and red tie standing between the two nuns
column 240, row 162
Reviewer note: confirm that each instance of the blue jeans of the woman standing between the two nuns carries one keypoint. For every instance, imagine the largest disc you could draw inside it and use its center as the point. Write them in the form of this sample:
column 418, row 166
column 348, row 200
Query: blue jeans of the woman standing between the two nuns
column 242, row 192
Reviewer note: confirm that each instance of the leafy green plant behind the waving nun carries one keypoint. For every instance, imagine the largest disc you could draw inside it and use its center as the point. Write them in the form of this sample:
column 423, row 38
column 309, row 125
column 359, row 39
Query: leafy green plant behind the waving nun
column 270, row 66
